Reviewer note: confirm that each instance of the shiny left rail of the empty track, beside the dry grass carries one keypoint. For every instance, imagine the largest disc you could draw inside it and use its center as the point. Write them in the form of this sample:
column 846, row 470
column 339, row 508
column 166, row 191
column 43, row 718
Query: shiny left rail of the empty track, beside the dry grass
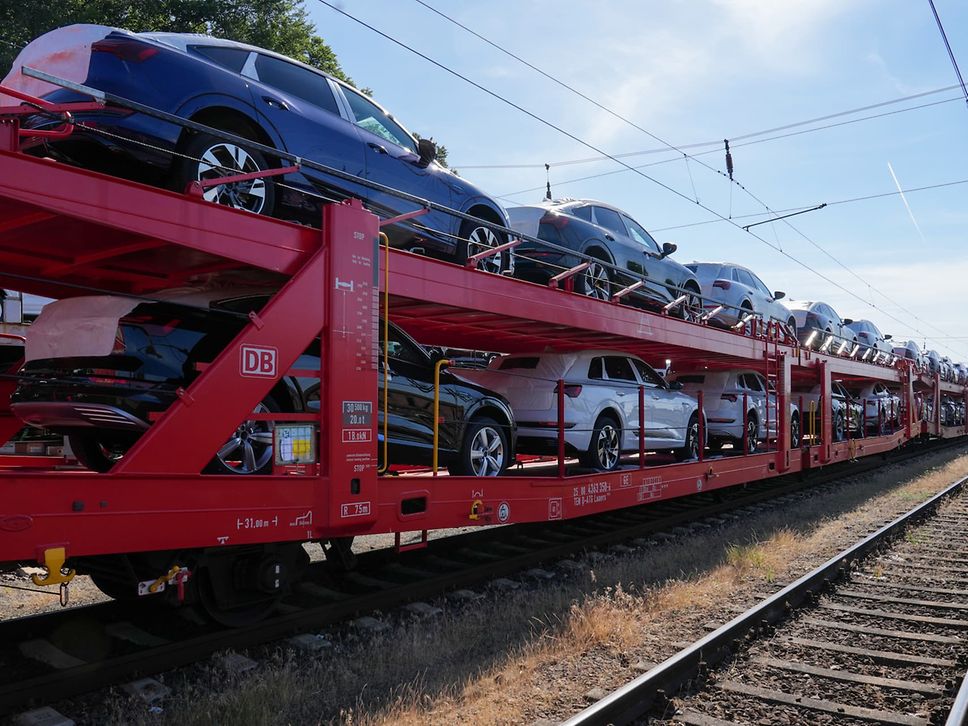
column 634, row 700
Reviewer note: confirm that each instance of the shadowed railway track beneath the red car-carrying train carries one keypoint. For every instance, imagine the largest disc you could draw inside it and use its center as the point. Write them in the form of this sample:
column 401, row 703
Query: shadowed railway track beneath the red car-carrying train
column 79, row 650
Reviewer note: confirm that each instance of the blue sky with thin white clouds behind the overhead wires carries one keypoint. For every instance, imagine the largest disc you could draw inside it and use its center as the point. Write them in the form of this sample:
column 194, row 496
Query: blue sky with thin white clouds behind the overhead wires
column 692, row 71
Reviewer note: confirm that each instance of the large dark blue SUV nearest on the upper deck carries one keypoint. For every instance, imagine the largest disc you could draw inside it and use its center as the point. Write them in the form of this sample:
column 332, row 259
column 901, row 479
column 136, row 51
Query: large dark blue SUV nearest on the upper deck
column 259, row 95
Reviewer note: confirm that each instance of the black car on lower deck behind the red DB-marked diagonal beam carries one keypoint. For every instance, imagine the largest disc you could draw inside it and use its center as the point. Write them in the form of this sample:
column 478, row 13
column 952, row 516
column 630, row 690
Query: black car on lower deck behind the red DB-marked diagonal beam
column 118, row 362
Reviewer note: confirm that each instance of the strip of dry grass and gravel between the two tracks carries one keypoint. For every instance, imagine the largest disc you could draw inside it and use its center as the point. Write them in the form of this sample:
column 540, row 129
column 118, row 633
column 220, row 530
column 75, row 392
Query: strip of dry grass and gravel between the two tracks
column 532, row 654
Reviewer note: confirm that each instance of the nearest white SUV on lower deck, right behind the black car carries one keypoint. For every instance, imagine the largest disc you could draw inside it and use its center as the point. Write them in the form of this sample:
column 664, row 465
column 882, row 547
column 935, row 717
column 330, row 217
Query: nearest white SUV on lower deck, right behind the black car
column 601, row 411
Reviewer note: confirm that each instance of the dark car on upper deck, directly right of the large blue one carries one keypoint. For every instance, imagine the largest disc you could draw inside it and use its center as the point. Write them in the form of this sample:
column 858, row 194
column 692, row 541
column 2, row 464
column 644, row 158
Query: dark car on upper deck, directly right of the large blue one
column 610, row 236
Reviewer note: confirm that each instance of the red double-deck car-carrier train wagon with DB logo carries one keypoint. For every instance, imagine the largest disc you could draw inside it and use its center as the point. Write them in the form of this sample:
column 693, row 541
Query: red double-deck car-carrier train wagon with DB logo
column 155, row 522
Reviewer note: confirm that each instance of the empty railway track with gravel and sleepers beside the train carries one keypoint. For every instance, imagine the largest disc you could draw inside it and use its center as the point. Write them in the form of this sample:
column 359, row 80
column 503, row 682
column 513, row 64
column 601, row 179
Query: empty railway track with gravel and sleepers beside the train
column 878, row 634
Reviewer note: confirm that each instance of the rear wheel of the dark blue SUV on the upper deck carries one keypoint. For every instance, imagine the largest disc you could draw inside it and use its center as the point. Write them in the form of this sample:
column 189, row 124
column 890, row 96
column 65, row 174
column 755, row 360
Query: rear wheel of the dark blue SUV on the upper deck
column 212, row 158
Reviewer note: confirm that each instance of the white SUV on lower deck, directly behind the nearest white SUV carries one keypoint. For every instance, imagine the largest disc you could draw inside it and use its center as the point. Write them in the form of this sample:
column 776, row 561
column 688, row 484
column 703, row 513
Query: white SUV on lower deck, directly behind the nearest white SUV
column 723, row 404
